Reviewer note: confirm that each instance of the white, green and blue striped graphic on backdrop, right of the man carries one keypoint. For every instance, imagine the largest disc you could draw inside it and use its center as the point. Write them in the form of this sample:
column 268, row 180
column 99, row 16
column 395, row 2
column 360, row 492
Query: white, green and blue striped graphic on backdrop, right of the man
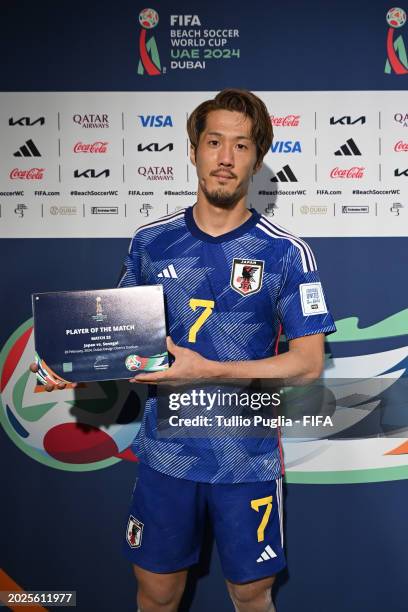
column 368, row 442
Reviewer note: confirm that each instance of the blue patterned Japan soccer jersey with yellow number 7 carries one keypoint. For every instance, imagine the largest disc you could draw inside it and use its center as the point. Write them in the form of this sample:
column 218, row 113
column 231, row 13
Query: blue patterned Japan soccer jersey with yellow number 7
column 228, row 298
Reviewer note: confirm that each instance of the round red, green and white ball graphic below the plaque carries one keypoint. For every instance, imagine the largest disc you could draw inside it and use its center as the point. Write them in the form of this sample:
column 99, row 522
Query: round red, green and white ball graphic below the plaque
column 89, row 428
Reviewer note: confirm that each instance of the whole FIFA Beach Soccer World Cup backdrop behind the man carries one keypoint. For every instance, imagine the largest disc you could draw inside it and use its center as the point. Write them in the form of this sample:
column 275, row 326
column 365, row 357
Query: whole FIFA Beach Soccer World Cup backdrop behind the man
column 93, row 144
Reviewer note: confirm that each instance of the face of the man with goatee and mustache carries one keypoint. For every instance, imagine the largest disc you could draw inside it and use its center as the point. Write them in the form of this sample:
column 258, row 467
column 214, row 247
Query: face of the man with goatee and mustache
column 225, row 158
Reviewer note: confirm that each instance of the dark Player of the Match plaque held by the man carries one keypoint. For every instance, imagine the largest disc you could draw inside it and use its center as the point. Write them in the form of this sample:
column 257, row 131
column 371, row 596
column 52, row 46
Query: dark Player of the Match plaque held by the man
column 105, row 334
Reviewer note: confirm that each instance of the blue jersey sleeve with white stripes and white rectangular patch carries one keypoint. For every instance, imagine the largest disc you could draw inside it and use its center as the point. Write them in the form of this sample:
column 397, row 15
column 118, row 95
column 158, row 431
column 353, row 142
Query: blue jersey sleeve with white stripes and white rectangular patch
column 302, row 306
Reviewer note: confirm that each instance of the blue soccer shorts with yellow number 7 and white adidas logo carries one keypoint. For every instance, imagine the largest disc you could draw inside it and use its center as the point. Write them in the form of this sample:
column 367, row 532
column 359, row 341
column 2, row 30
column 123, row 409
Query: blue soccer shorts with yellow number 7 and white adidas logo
column 166, row 520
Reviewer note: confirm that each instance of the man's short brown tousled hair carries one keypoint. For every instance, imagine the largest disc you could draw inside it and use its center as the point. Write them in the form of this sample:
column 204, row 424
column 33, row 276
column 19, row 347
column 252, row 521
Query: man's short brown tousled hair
column 242, row 101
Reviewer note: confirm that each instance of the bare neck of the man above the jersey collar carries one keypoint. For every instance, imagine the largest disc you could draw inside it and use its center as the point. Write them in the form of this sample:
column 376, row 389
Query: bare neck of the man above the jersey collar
column 216, row 221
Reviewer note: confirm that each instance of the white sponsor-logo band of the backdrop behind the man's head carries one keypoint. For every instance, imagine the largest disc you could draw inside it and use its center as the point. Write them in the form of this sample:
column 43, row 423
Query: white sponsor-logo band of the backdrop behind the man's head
column 313, row 191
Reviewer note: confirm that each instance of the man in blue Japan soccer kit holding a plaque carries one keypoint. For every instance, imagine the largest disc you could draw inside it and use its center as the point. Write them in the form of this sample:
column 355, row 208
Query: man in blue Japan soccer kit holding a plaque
column 236, row 281
